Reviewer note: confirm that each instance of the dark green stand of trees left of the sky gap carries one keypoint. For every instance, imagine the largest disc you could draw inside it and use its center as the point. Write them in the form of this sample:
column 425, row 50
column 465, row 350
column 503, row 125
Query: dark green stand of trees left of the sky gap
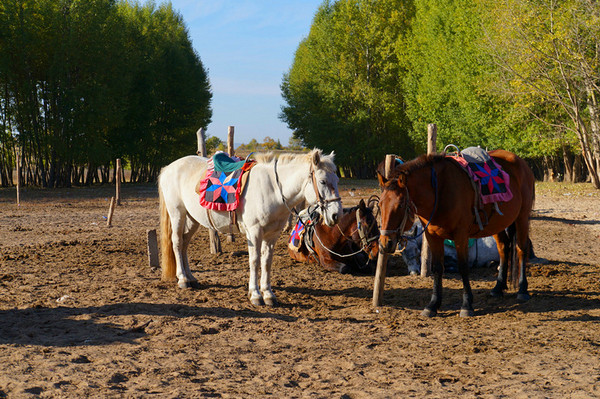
column 85, row 82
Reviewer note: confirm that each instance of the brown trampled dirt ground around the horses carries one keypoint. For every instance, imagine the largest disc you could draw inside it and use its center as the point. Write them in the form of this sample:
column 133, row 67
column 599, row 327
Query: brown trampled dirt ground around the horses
column 83, row 315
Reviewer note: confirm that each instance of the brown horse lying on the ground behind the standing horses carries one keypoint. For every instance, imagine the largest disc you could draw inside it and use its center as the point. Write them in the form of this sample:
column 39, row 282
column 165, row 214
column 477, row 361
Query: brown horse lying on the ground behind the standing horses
column 349, row 246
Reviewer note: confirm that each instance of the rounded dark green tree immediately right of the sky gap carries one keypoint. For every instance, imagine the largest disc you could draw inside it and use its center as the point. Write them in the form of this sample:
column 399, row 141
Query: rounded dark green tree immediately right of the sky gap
column 342, row 91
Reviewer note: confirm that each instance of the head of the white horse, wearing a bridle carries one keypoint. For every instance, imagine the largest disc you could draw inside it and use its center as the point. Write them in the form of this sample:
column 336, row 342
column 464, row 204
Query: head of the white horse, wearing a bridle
column 322, row 188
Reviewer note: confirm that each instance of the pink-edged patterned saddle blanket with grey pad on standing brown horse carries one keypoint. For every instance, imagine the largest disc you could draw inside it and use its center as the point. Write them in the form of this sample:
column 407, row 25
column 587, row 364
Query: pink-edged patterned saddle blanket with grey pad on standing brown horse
column 493, row 182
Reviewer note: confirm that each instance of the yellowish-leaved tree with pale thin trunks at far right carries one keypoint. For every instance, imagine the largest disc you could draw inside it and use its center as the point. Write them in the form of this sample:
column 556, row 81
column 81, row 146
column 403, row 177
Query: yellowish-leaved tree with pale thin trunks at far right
column 548, row 51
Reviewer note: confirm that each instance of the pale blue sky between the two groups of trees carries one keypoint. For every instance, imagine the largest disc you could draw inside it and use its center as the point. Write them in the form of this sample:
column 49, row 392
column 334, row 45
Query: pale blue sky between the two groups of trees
column 247, row 46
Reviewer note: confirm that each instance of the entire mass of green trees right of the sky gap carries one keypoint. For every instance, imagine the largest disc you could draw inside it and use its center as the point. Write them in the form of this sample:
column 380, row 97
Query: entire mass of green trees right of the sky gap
column 518, row 74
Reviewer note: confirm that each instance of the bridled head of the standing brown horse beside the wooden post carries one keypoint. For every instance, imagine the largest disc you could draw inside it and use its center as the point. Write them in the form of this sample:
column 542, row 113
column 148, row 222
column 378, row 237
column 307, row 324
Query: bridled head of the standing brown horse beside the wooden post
column 396, row 211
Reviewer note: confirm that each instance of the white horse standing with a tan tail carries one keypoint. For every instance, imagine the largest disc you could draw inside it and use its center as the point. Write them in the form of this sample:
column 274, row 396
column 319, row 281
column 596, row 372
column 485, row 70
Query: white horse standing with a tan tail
column 275, row 185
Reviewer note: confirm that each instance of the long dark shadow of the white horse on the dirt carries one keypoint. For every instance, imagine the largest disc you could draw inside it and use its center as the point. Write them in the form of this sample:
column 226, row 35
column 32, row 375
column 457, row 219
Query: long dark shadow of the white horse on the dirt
column 62, row 326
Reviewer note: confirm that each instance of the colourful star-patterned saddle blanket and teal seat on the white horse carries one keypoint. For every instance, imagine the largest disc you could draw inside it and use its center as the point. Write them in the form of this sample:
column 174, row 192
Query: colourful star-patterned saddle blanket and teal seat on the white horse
column 220, row 188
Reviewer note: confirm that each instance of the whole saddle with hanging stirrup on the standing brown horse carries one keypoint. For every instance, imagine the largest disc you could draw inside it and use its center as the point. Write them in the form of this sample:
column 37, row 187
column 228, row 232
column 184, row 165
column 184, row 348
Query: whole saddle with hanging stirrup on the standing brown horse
column 490, row 183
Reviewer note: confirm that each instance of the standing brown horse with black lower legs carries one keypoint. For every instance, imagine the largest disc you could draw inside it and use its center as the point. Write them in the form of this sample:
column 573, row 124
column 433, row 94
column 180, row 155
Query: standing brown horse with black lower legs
column 440, row 193
